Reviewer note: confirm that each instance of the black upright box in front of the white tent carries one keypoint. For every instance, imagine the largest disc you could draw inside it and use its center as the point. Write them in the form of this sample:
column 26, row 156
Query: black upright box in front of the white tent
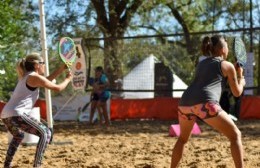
column 163, row 80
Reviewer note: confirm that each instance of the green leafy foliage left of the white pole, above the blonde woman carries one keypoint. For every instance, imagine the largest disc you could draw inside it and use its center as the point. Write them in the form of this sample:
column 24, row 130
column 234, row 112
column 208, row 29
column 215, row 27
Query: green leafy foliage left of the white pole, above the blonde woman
column 17, row 34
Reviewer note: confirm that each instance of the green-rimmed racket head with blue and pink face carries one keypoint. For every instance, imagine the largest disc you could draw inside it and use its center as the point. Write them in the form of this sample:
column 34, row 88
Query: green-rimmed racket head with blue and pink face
column 67, row 51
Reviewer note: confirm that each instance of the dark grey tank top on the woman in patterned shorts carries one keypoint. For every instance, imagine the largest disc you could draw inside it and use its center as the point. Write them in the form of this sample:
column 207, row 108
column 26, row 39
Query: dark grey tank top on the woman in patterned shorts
column 207, row 84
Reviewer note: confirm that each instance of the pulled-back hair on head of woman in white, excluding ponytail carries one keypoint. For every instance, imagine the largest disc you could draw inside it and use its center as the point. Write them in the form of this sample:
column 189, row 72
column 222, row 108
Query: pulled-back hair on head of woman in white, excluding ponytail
column 31, row 60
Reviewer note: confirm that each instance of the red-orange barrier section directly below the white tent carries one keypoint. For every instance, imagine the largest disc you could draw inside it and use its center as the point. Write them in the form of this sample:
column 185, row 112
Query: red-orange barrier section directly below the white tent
column 157, row 108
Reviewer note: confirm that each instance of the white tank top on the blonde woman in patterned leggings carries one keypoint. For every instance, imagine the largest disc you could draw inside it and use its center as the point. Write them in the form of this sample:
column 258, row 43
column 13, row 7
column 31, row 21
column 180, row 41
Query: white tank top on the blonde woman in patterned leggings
column 22, row 99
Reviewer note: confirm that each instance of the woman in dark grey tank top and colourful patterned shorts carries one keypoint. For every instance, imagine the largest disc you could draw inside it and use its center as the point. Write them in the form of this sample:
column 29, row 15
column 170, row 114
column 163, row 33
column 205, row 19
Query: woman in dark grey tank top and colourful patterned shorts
column 190, row 108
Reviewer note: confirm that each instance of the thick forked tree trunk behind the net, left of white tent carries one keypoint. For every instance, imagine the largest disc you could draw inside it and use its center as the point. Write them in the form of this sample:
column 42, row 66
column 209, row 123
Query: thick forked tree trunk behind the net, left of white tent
column 113, row 19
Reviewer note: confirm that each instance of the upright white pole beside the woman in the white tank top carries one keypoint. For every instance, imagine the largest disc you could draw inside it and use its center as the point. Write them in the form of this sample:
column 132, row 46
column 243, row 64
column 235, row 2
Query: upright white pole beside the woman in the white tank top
column 45, row 56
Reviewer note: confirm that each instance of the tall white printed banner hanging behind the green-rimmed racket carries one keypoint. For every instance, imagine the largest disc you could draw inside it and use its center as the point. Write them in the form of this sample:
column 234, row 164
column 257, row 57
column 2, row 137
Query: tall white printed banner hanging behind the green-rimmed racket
column 79, row 67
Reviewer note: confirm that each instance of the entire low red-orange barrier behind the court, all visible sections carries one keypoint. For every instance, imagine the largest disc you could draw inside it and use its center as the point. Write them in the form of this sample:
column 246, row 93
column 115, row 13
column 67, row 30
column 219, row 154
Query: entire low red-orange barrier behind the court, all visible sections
column 158, row 108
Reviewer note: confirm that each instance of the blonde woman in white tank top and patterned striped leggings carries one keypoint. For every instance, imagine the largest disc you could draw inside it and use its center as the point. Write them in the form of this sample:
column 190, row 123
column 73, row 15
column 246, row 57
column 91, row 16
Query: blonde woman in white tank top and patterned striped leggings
column 15, row 113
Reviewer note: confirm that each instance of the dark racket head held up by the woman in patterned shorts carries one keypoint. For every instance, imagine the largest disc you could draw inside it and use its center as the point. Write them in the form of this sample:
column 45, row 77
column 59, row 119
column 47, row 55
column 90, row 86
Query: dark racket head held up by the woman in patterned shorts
column 239, row 51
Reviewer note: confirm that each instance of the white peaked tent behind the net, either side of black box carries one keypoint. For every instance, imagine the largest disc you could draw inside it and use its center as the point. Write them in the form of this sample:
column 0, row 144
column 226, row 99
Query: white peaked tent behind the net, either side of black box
column 142, row 78
